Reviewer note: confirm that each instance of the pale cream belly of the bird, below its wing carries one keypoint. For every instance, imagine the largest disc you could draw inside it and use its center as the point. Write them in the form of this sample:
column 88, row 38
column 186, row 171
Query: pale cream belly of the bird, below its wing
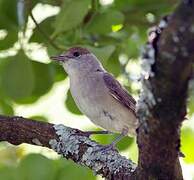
column 107, row 115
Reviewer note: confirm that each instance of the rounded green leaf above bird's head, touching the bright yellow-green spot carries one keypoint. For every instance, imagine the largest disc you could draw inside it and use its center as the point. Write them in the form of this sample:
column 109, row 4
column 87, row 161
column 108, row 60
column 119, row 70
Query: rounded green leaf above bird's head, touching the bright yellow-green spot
column 102, row 22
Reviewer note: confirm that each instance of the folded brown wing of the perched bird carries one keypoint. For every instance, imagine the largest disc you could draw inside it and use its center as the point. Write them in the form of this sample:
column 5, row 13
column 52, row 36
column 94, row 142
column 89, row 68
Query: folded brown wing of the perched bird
column 119, row 93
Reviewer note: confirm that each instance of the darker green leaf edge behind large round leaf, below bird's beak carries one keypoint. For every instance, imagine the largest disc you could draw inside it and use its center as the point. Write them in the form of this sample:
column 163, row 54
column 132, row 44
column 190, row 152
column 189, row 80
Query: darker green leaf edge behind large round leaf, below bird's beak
column 44, row 78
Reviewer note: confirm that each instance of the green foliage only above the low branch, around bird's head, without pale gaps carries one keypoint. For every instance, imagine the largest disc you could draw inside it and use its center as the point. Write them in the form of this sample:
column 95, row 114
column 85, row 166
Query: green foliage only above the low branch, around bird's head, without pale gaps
column 107, row 30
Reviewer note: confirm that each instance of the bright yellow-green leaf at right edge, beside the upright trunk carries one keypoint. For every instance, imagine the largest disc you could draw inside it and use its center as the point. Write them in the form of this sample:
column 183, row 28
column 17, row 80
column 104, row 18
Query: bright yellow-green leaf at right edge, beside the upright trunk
column 187, row 145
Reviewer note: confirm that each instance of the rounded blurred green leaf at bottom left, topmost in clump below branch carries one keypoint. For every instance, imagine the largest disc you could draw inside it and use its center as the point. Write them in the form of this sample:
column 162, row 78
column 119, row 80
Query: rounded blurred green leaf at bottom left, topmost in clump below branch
column 37, row 167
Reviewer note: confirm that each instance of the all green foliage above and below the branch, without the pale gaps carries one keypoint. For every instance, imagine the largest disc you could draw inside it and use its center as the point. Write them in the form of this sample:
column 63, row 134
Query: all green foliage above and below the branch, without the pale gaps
column 109, row 31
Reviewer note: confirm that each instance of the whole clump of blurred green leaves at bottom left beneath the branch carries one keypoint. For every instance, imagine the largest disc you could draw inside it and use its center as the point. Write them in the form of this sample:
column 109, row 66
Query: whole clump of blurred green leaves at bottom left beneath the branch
column 38, row 167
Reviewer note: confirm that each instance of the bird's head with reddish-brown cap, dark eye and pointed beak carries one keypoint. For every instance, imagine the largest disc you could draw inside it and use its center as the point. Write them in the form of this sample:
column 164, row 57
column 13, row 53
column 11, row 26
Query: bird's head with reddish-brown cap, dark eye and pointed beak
column 78, row 60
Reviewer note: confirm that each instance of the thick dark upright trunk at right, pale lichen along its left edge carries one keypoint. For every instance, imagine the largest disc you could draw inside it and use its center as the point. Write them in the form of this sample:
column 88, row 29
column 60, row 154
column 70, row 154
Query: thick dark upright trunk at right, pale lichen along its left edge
column 162, row 106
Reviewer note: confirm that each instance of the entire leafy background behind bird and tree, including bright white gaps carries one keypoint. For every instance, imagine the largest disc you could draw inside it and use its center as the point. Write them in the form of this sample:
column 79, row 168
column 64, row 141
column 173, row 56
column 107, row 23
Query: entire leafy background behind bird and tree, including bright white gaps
column 33, row 86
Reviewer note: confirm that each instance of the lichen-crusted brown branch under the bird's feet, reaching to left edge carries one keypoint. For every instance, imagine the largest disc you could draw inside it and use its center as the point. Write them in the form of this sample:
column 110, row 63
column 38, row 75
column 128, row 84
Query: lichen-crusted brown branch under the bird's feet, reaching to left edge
column 70, row 143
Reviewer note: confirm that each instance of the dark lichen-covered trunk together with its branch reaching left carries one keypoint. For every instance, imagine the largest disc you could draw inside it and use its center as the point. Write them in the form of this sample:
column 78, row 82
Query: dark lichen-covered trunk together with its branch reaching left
column 161, row 110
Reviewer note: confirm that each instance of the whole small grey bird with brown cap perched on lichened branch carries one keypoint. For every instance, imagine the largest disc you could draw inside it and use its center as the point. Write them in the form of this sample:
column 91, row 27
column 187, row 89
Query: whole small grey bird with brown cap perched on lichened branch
column 98, row 94
